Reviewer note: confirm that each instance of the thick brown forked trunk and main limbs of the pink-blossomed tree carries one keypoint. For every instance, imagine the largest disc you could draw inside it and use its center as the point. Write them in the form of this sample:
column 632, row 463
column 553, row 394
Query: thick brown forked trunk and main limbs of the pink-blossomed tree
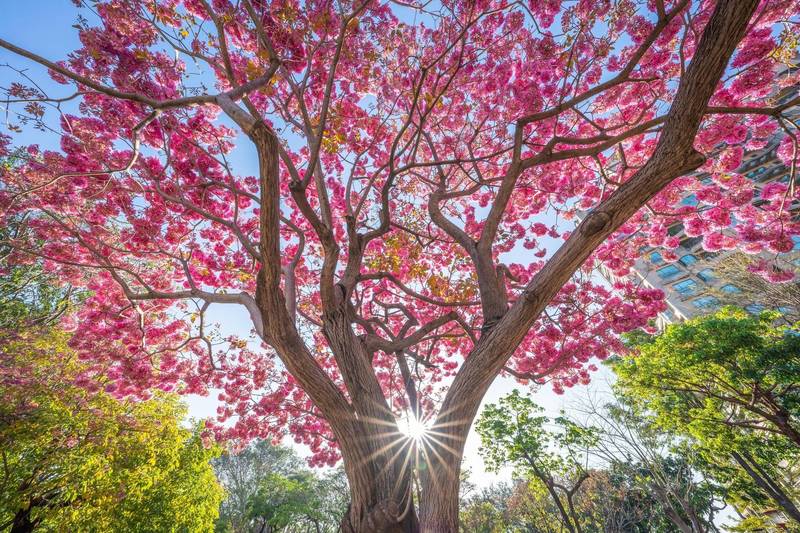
column 377, row 467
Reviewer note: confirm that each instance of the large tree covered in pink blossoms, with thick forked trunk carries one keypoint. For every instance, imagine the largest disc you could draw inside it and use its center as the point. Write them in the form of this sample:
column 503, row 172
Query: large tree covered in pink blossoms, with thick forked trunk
column 415, row 161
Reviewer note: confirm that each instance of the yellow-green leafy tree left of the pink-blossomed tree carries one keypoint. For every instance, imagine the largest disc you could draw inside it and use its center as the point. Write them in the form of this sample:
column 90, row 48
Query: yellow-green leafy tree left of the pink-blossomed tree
column 81, row 460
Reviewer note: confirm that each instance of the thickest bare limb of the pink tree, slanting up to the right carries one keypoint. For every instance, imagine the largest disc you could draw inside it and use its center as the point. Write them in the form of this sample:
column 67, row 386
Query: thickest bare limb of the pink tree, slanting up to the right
column 674, row 156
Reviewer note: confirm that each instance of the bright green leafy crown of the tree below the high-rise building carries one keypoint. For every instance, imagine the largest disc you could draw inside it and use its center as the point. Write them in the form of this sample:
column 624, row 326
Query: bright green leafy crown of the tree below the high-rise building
column 727, row 369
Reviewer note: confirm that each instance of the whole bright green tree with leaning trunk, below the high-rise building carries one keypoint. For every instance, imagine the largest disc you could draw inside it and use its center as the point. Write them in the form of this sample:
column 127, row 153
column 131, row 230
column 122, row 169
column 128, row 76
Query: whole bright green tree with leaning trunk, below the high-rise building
column 728, row 383
